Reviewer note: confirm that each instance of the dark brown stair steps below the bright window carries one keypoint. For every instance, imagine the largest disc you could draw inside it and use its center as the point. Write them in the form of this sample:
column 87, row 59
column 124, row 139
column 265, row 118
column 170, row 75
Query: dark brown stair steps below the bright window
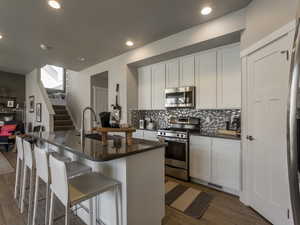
column 62, row 119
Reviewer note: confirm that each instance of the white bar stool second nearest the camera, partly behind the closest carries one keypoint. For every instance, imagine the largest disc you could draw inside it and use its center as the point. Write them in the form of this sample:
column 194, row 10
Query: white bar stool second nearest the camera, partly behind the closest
column 42, row 172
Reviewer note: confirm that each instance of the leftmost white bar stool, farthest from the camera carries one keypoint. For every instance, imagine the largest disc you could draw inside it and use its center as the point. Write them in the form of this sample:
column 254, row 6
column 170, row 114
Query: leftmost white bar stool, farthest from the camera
column 19, row 167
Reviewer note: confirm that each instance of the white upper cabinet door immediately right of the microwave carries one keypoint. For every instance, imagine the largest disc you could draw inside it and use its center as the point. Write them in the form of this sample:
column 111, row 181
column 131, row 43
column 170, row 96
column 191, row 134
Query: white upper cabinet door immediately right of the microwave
column 206, row 80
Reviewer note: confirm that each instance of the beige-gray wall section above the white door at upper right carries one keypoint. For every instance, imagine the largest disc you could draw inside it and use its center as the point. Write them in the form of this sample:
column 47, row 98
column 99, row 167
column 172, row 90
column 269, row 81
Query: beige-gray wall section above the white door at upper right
column 266, row 16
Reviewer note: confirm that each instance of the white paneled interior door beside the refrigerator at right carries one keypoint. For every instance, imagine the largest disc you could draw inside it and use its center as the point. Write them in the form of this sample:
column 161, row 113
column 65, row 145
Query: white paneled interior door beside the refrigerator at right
column 268, row 77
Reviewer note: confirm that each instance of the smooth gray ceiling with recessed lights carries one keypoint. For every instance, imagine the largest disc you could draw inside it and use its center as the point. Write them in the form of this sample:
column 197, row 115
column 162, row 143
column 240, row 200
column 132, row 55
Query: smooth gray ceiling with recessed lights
column 93, row 29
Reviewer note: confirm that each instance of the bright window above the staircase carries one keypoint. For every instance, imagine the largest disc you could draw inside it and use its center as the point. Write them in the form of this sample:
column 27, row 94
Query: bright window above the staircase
column 53, row 77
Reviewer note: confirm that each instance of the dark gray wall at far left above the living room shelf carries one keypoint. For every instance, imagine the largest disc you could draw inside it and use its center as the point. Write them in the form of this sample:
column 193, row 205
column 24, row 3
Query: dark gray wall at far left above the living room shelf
column 15, row 85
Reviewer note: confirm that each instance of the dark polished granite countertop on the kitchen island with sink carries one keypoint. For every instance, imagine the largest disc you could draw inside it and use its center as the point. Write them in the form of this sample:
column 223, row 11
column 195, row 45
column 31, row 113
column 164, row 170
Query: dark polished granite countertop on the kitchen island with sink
column 93, row 149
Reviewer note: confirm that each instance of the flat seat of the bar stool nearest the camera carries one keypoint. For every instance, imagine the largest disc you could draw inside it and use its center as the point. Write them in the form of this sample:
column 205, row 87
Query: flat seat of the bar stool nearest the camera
column 89, row 185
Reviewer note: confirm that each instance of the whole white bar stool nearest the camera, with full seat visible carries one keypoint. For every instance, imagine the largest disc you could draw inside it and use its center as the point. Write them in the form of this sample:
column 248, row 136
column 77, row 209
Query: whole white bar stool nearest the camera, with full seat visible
column 78, row 189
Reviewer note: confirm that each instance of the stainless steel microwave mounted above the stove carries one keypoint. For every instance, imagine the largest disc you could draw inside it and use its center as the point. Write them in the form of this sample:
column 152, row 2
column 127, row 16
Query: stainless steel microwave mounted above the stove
column 183, row 97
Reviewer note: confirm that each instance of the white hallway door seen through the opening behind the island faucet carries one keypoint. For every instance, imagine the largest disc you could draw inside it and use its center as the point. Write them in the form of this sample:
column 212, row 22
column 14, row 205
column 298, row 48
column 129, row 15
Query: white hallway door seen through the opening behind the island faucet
column 100, row 99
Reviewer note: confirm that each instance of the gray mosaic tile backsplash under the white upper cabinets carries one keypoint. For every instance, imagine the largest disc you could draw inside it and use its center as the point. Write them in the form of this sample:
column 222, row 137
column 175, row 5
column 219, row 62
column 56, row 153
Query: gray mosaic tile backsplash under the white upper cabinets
column 210, row 120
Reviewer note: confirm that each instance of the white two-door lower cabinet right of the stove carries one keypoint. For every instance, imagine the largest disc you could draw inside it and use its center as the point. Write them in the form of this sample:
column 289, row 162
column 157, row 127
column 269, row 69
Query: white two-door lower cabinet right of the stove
column 216, row 161
